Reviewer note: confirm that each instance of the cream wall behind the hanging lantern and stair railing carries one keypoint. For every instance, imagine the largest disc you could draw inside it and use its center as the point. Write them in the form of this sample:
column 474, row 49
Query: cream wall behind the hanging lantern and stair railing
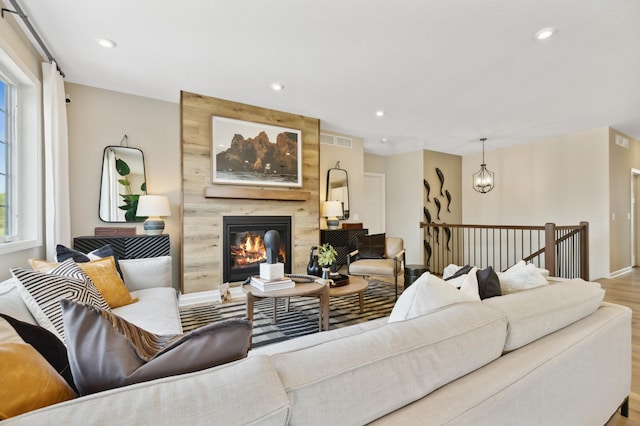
column 563, row 180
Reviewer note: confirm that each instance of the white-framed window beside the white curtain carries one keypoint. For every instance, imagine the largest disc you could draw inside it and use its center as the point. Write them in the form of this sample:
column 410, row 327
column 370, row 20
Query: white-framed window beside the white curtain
column 20, row 156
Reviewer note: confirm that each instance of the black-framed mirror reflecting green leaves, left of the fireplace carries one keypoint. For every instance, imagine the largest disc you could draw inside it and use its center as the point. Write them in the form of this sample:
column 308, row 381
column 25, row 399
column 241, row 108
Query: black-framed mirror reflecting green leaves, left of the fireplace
column 119, row 193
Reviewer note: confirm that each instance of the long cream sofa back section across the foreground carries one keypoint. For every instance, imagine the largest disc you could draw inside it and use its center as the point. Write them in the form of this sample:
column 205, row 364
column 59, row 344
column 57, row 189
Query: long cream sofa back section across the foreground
column 552, row 355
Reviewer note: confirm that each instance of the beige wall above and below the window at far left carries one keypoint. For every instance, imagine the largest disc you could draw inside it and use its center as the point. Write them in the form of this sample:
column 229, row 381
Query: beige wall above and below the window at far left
column 14, row 42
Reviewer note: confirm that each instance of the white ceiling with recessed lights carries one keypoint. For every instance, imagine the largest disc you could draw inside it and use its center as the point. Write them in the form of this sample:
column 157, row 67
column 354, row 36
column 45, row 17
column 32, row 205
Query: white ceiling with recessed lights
column 445, row 72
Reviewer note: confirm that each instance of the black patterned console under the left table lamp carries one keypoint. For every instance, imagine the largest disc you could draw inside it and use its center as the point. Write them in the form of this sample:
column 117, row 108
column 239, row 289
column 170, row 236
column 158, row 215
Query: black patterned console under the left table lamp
column 127, row 247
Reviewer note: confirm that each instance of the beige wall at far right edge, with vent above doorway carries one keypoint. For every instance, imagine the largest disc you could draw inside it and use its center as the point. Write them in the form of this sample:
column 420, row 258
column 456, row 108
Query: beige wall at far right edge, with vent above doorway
column 621, row 161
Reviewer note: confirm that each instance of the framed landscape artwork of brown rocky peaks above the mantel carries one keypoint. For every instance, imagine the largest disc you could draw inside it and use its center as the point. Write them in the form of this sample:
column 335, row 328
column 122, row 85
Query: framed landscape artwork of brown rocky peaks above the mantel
column 248, row 153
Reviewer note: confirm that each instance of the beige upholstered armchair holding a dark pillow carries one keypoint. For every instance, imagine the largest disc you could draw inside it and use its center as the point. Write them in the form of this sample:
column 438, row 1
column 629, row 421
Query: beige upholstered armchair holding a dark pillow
column 391, row 265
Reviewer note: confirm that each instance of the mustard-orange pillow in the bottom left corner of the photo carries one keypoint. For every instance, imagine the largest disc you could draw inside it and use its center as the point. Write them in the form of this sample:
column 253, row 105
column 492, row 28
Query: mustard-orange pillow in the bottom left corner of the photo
column 27, row 380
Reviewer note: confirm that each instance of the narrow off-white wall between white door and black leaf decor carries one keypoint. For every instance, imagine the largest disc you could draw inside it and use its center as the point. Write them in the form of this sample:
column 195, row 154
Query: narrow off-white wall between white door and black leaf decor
column 404, row 202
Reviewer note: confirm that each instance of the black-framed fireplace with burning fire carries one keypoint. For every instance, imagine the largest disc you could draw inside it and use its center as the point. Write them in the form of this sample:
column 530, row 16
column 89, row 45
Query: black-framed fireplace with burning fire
column 243, row 244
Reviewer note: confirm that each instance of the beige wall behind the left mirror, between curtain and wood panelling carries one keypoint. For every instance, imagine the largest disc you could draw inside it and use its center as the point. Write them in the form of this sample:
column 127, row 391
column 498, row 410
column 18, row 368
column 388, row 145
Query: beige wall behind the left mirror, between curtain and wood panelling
column 98, row 118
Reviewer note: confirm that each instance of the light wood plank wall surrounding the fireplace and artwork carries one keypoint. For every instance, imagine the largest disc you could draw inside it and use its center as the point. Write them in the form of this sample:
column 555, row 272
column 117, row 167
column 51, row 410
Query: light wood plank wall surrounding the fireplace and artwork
column 202, row 216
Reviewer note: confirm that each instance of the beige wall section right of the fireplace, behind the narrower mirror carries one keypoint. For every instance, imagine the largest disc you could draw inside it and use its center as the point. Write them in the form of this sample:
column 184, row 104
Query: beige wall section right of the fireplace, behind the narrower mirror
column 351, row 160
